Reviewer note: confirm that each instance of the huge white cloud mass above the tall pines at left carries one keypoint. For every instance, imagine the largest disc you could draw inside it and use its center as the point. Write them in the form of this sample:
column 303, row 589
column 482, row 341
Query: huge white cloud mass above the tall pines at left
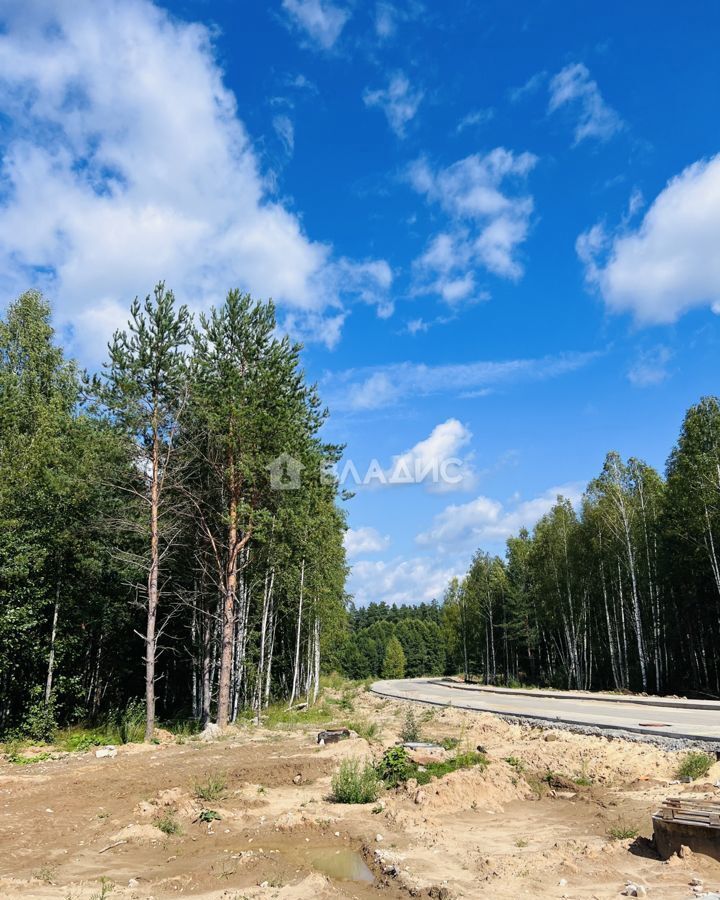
column 125, row 162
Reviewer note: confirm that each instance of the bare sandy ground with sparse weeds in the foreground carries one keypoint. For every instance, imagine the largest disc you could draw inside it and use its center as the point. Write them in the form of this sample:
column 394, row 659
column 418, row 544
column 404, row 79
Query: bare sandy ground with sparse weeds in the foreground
column 519, row 829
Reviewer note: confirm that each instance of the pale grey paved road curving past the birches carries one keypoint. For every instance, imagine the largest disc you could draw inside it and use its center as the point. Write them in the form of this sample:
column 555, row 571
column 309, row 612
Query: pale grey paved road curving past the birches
column 657, row 717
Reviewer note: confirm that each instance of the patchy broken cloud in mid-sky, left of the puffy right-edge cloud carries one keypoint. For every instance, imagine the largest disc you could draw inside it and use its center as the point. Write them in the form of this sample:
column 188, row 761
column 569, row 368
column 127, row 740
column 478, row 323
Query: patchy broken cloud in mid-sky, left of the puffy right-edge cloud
column 488, row 223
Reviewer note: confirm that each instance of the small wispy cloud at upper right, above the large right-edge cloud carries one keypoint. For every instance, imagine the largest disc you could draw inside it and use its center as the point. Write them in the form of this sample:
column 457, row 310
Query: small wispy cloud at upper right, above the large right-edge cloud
column 573, row 87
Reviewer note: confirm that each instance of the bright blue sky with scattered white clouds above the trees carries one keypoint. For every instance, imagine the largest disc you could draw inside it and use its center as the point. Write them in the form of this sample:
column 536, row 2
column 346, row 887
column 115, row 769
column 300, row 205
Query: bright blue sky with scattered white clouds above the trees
column 495, row 226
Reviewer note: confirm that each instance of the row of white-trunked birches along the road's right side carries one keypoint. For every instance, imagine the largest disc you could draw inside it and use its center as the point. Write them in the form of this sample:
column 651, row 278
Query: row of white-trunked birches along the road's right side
column 622, row 594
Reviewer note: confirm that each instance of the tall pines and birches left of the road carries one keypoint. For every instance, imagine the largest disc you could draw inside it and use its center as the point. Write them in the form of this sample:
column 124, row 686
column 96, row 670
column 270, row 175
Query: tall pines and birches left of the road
column 144, row 509
